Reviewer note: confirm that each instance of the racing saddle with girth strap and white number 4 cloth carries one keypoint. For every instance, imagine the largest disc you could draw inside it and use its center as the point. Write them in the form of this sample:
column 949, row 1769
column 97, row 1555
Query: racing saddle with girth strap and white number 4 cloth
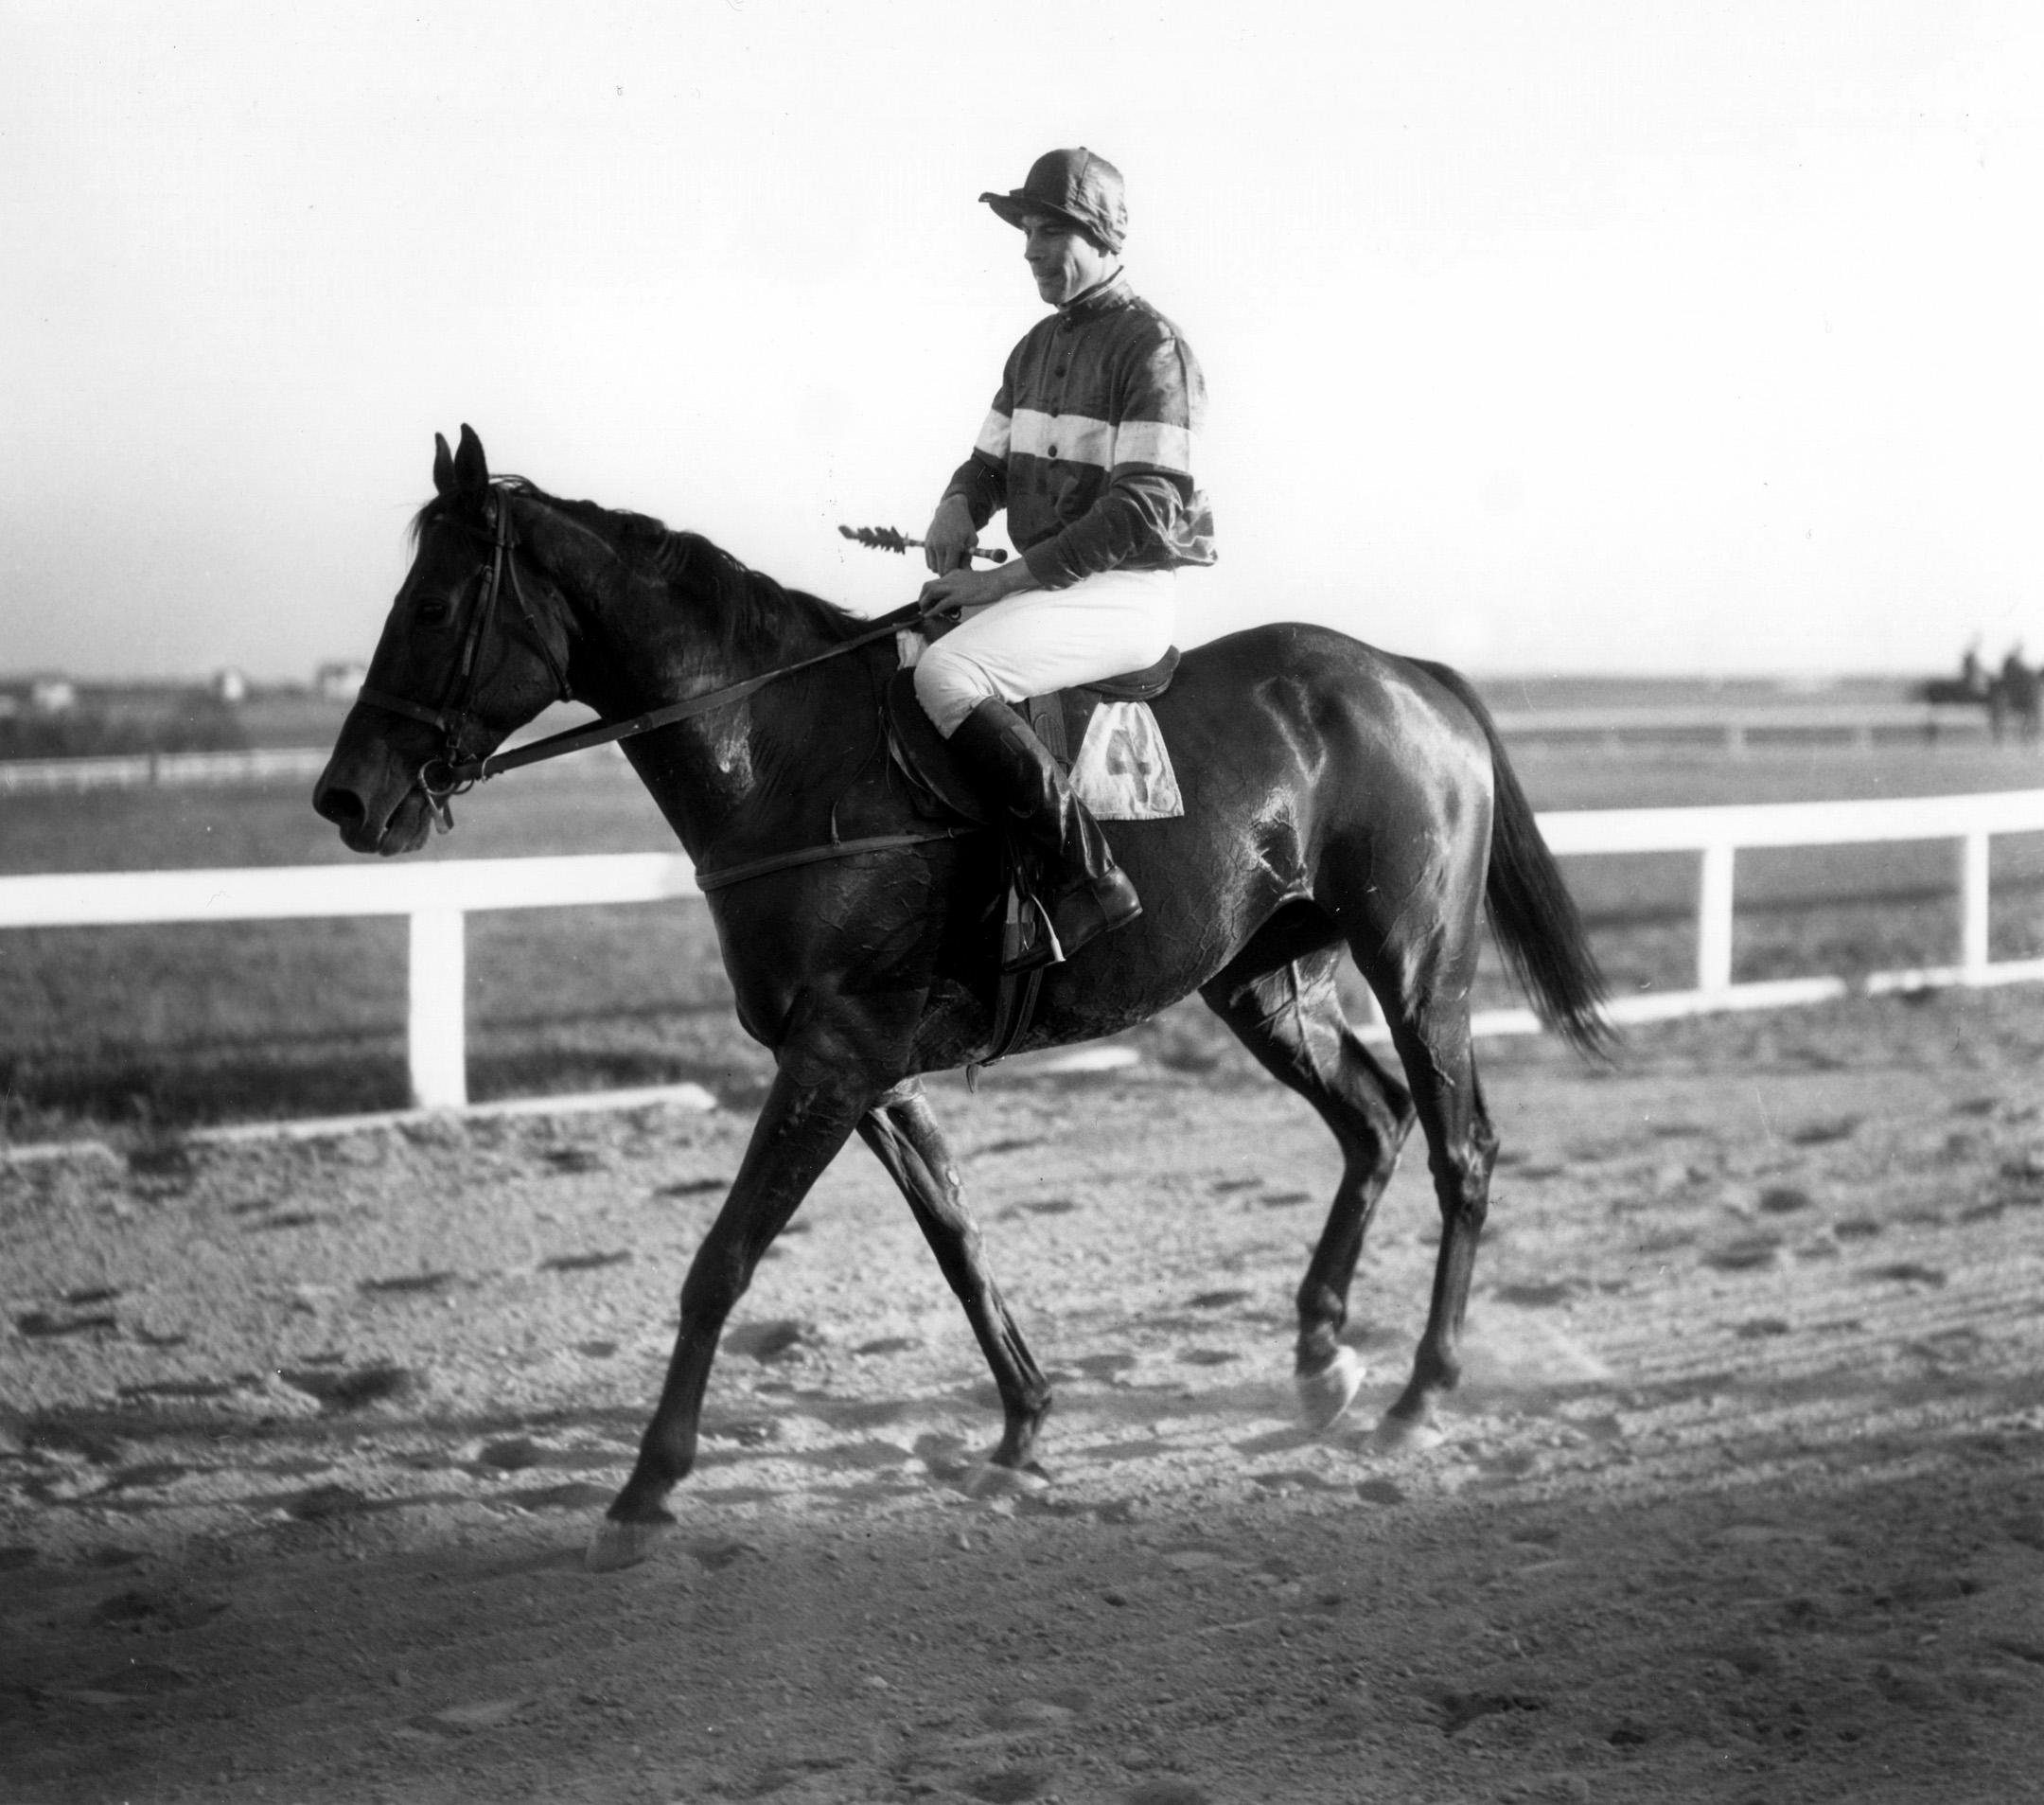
column 1121, row 772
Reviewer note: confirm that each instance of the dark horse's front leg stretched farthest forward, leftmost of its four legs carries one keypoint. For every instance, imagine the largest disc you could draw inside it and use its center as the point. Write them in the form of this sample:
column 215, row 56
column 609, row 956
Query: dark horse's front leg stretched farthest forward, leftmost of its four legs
column 798, row 1133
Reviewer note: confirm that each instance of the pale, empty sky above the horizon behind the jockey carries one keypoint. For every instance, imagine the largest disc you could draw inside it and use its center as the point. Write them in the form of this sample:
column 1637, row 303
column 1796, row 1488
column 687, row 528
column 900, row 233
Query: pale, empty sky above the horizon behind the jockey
column 1542, row 338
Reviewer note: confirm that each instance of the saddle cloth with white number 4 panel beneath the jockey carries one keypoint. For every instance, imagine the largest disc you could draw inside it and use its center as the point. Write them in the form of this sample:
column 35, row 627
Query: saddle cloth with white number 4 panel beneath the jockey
column 1121, row 772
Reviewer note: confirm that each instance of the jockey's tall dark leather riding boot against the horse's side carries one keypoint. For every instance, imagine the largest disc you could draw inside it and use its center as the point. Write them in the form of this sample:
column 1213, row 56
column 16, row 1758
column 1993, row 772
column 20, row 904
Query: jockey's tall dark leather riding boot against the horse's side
column 1007, row 763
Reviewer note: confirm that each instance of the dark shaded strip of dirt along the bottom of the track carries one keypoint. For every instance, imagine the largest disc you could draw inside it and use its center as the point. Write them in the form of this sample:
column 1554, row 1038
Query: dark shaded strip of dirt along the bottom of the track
column 1865, row 1636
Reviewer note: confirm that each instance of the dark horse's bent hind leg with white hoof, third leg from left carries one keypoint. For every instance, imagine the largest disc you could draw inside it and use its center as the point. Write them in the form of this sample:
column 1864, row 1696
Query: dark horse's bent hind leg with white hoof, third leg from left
column 1291, row 1019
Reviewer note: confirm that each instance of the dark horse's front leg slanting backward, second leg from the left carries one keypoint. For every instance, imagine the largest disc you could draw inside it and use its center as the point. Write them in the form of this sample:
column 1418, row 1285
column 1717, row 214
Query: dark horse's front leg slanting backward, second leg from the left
column 907, row 1140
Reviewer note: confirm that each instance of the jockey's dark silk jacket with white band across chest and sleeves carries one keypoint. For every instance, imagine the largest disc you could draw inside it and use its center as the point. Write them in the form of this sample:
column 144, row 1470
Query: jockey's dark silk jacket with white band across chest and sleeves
column 1090, row 445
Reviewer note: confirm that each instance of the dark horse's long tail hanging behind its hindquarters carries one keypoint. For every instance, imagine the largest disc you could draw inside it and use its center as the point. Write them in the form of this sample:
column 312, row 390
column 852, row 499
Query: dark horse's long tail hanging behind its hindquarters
column 1532, row 913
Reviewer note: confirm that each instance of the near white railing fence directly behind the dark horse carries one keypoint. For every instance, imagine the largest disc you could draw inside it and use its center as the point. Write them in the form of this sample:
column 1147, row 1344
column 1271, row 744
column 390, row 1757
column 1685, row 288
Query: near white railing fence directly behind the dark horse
column 438, row 896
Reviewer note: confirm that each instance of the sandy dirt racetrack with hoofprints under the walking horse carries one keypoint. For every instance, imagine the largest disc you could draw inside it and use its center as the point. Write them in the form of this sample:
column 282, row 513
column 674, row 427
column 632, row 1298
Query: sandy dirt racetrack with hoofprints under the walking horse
column 1743, row 1497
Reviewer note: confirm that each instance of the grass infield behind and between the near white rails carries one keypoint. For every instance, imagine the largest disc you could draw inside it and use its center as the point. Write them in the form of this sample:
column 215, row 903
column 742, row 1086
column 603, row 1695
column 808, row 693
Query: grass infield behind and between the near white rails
column 167, row 1027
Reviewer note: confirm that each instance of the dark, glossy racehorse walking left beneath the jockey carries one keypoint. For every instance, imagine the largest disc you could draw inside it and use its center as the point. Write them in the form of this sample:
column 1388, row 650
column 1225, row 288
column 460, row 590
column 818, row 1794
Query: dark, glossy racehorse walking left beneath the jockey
column 1338, row 798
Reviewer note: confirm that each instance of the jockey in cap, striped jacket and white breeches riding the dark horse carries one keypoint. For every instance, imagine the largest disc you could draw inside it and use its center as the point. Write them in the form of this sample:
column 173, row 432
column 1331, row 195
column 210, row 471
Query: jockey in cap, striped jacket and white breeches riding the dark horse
column 1090, row 451
